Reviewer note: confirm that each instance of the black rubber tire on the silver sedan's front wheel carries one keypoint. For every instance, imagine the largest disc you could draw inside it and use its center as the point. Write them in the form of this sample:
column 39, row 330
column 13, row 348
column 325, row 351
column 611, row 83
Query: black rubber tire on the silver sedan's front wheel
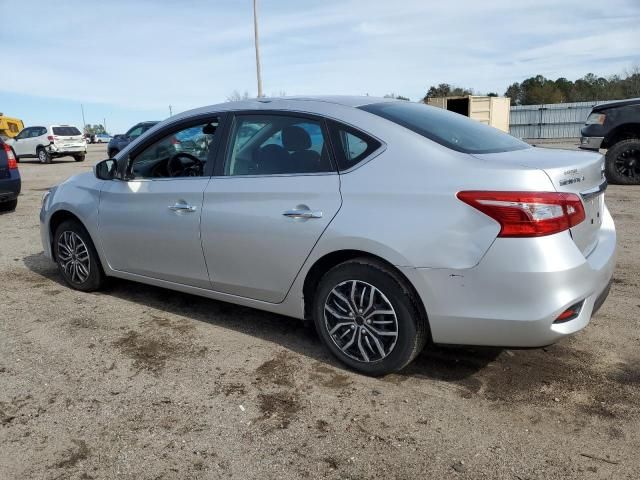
column 95, row 278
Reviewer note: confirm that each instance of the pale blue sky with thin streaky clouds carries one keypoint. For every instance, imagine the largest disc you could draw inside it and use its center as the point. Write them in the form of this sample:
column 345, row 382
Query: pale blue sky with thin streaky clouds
column 127, row 61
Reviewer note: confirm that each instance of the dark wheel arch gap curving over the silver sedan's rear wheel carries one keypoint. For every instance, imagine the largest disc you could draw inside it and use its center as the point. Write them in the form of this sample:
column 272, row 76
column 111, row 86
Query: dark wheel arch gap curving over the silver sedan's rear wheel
column 325, row 263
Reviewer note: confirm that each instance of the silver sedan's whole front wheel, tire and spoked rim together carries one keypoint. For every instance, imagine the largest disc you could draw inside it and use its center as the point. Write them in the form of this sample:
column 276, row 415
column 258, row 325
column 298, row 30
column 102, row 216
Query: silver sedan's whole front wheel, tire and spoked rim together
column 77, row 258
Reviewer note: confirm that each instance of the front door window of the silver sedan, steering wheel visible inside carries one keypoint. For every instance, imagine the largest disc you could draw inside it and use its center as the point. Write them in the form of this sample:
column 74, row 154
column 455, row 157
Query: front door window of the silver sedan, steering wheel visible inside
column 183, row 153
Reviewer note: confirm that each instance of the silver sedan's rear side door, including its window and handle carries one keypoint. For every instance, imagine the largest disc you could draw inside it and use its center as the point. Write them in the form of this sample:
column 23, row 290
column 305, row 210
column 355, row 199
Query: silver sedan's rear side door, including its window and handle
column 264, row 210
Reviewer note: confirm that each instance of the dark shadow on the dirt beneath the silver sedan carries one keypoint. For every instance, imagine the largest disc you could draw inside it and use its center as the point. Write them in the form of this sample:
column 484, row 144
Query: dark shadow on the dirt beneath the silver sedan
column 444, row 363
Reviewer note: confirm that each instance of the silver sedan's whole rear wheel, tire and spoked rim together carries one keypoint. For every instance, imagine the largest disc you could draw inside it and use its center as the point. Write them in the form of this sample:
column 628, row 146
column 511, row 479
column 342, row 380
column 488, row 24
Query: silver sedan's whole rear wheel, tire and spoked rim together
column 368, row 317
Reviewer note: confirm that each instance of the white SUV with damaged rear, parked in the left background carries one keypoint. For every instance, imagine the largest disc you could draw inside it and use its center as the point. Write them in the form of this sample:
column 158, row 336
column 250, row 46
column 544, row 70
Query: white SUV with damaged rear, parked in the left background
column 47, row 143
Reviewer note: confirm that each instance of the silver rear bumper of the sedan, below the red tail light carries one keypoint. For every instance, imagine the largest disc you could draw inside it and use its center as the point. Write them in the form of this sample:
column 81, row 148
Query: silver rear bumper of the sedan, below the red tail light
column 512, row 297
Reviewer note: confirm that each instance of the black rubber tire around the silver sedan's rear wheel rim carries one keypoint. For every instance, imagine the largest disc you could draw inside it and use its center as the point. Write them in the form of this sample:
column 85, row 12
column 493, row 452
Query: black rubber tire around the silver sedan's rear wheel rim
column 412, row 327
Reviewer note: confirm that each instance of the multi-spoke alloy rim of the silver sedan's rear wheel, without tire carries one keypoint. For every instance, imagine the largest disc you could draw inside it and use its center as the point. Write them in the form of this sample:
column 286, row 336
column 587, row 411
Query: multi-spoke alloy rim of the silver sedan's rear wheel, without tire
column 361, row 321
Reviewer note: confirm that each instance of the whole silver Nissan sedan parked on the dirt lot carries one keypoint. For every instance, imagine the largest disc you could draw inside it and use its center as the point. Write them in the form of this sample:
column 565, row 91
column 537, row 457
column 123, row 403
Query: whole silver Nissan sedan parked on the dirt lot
column 390, row 224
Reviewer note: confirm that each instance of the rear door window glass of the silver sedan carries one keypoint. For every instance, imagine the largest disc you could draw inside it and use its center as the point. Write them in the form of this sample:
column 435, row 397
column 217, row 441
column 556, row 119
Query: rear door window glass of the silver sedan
column 276, row 145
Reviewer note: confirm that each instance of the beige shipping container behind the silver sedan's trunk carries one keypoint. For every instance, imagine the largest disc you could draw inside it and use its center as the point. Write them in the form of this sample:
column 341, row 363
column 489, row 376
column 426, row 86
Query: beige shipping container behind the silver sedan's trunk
column 492, row 111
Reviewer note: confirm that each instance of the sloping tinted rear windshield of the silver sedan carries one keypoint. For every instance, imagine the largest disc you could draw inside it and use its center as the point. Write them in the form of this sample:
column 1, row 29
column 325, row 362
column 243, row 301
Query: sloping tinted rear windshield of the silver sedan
column 449, row 129
